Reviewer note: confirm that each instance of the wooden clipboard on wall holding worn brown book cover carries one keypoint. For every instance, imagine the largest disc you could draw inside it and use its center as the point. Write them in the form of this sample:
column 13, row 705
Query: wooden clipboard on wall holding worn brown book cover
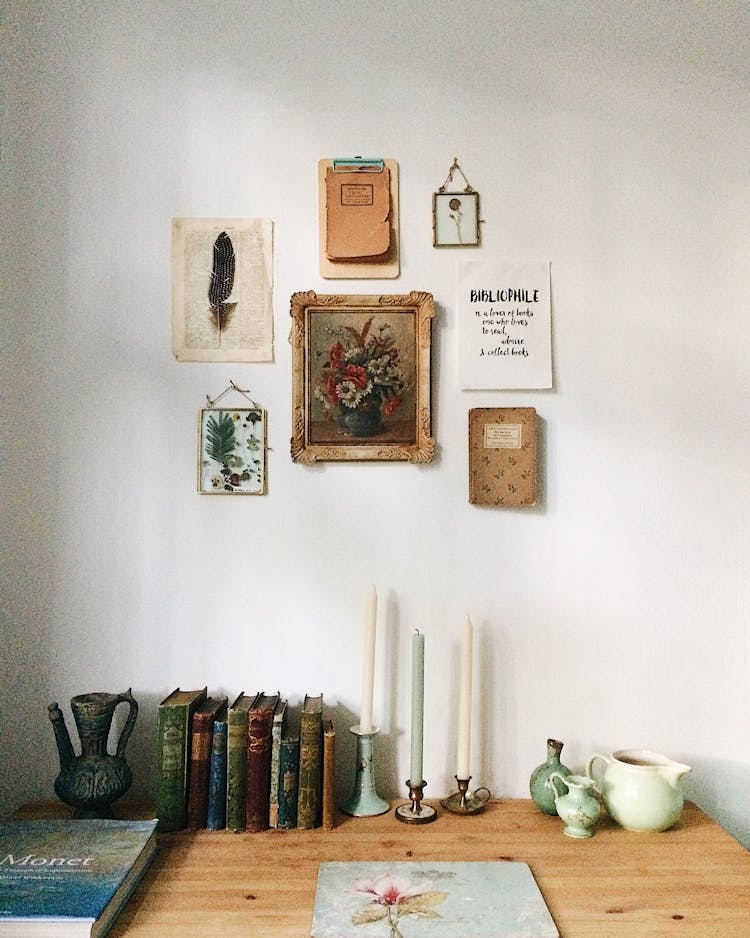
column 358, row 218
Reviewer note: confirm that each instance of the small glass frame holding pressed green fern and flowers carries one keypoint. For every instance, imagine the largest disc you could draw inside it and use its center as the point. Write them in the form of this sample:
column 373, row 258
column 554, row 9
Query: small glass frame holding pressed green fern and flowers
column 232, row 451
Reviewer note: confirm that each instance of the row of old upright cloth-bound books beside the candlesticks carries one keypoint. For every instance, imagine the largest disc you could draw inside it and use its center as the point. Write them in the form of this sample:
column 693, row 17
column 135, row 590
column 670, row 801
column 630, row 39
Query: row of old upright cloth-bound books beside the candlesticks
column 247, row 765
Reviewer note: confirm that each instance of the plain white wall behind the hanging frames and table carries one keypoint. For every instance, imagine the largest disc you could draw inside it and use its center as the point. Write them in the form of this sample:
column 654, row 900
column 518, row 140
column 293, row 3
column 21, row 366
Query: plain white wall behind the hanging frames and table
column 608, row 138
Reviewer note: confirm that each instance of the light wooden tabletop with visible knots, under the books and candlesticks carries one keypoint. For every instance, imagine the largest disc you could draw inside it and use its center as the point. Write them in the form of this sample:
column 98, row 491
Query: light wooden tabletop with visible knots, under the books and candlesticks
column 691, row 880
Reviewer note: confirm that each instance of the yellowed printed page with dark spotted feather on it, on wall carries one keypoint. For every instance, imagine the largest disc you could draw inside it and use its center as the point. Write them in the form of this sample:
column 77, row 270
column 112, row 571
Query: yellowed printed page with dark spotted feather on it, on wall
column 222, row 289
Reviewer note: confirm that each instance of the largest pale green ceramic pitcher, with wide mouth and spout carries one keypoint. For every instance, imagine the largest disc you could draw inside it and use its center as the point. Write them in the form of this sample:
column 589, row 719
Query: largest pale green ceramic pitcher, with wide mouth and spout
column 641, row 789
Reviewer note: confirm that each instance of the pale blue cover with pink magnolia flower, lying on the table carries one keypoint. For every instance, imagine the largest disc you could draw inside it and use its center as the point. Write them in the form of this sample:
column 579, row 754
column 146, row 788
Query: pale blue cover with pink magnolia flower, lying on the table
column 410, row 899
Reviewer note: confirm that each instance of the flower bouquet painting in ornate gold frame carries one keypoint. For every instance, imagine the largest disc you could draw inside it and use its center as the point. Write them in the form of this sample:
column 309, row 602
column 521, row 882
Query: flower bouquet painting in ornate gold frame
column 361, row 377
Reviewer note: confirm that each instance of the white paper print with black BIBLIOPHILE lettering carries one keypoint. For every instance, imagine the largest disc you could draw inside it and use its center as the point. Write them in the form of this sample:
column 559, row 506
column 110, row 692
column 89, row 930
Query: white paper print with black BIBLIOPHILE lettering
column 504, row 325
